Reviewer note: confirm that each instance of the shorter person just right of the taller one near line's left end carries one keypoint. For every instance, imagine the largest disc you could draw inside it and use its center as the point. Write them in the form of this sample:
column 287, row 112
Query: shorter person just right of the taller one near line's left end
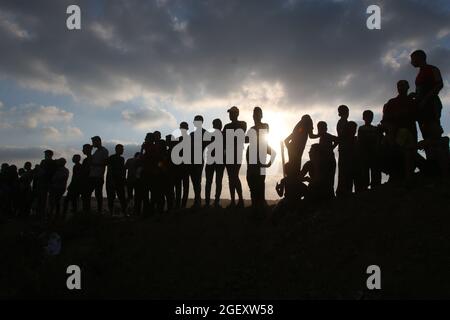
column 58, row 187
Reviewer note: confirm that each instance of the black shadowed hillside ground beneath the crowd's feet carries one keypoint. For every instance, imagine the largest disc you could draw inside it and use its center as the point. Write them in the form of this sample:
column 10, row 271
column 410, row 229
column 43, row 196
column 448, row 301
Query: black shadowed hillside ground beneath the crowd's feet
column 321, row 253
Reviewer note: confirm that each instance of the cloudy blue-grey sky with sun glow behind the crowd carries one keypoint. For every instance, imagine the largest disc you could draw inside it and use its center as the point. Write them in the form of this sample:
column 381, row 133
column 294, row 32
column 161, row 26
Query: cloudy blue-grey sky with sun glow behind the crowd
column 136, row 66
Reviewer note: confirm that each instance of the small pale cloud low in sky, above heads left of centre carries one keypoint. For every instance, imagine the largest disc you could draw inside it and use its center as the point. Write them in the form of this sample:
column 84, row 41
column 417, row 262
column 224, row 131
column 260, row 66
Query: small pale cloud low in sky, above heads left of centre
column 149, row 117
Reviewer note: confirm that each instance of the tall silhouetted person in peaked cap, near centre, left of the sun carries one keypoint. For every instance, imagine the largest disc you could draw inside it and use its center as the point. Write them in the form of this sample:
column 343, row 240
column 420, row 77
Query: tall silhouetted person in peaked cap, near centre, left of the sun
column 234, row 167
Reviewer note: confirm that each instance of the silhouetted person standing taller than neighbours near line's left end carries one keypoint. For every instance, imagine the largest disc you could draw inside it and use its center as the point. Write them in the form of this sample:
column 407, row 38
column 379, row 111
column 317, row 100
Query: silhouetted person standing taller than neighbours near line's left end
column 47, row 170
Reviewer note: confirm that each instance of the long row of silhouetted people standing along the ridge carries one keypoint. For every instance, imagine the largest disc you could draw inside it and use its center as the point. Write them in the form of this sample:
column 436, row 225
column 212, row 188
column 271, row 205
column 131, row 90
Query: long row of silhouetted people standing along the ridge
column 151, row 182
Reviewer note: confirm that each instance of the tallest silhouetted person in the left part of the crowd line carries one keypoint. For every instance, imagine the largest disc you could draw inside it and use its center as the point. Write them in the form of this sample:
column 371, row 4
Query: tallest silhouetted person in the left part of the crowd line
column 97, row 171
